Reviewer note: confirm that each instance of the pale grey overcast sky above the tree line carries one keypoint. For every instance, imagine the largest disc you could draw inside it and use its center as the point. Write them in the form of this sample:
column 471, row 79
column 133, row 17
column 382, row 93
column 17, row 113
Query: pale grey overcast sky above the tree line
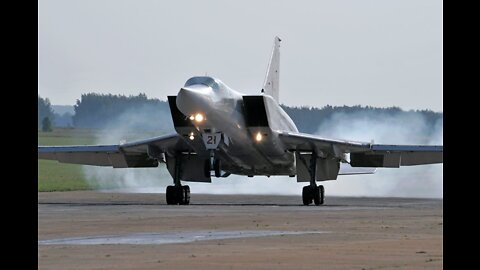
column 377, row 53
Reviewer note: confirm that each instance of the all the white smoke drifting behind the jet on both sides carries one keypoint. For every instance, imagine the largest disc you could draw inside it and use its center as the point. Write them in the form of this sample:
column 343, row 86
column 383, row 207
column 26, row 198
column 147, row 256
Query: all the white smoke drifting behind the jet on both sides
column 401, row 128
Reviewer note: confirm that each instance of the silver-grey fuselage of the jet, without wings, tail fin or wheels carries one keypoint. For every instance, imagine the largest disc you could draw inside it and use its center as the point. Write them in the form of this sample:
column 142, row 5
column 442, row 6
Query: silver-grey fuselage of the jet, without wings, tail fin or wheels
column 244, row 149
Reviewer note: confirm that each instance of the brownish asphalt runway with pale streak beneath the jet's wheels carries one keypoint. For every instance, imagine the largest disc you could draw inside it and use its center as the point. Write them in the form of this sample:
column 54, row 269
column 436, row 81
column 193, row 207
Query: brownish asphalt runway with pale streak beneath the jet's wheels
column 95, row 230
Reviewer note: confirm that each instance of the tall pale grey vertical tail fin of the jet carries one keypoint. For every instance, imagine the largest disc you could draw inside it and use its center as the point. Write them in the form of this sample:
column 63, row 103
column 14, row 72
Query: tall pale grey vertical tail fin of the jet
column 271, row 84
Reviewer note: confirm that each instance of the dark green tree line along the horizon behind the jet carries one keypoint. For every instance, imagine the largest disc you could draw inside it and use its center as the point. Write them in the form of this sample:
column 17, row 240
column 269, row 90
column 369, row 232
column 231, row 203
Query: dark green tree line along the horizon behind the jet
column 100, row 111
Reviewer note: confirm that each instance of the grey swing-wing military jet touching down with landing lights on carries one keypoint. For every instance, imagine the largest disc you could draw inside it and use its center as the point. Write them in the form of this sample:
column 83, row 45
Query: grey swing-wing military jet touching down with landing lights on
column 220, row 132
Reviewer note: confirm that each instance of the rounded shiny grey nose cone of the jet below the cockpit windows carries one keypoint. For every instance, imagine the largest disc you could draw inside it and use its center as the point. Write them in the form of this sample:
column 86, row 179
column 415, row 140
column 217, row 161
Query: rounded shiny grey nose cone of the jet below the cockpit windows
column 194, row 99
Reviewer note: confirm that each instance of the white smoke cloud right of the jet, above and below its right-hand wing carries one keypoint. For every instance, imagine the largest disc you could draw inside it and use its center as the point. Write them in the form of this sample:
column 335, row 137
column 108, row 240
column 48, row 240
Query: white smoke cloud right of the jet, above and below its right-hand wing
column 402, row 128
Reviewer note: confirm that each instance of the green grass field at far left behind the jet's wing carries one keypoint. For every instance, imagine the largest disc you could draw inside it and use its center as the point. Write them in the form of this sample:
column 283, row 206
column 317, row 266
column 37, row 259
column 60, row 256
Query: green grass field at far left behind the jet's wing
column 55, row 176
